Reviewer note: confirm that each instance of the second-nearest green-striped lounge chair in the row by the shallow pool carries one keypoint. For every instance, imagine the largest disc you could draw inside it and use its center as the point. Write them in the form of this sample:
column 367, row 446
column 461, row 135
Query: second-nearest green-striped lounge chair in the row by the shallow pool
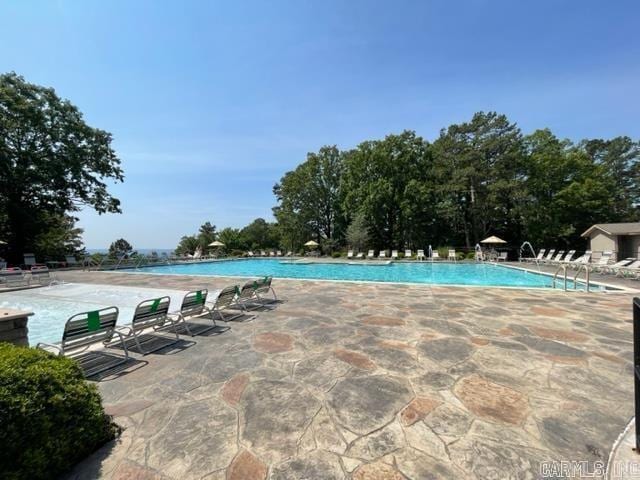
column 152, row 314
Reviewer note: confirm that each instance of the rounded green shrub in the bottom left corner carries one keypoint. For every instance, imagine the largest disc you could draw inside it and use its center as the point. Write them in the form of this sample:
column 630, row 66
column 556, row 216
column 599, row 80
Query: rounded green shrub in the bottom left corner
column 50, row 417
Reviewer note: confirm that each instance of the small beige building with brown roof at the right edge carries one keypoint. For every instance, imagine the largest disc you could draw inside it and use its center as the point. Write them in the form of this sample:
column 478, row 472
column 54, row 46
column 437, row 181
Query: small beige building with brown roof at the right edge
column 623, row 239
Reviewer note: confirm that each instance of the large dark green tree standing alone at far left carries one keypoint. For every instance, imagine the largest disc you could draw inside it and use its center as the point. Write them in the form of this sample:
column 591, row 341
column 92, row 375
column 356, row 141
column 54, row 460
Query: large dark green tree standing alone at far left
column 51, row 163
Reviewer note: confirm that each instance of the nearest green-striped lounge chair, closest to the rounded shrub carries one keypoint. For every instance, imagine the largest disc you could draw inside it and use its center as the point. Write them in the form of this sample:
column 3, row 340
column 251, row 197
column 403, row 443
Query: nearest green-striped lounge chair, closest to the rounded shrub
column 85, row 330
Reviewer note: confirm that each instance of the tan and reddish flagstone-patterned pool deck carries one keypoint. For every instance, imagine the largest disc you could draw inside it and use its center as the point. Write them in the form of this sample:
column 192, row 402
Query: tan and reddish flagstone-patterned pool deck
column 377, row 381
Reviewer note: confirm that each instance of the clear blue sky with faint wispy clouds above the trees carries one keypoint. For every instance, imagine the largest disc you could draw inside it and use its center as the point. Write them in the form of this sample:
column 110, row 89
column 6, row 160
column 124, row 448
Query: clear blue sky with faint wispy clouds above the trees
column 211, row 102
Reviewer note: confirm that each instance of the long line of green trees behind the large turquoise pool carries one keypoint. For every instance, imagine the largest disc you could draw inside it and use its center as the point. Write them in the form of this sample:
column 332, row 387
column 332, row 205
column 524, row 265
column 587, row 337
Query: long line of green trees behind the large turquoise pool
column 478, row 178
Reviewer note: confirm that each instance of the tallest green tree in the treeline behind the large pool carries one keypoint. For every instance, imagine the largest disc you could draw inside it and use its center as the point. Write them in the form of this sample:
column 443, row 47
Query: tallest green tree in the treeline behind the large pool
column 478, row 167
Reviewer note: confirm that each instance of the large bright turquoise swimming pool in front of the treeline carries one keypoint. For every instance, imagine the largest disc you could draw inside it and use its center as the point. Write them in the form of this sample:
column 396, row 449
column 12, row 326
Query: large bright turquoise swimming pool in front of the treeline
column 443, row 273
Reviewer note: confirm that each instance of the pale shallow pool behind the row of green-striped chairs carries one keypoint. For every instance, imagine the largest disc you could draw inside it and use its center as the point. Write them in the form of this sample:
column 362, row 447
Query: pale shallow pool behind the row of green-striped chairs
column 52, row 306
